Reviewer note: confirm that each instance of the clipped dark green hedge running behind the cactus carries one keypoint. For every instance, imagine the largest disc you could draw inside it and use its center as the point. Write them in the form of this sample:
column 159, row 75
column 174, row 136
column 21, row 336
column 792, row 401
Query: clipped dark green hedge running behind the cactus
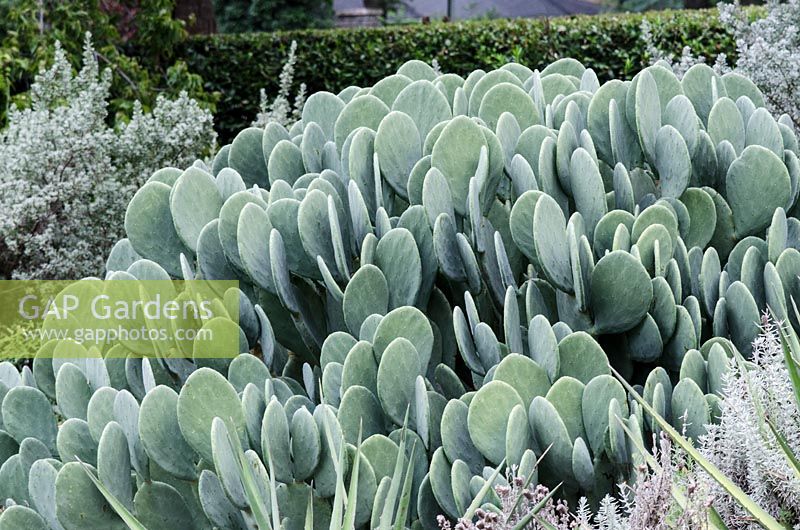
column 239, row 65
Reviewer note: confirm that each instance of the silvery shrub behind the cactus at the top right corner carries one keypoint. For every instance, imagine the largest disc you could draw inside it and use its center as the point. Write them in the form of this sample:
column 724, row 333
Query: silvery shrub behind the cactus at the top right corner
column 768, row 50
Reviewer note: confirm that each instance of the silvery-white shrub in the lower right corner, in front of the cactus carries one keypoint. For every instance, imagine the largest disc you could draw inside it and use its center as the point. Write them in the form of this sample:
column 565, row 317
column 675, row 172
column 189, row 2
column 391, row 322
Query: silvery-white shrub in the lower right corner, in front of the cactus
column 745, row 449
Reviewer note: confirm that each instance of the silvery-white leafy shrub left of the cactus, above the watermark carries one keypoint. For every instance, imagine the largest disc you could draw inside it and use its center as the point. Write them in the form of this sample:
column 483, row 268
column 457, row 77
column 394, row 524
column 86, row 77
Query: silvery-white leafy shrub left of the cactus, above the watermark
column 66, row 175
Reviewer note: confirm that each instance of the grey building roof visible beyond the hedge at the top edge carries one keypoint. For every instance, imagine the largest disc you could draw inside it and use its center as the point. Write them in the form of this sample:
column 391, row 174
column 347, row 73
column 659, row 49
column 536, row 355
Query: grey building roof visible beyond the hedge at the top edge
column 476, row 8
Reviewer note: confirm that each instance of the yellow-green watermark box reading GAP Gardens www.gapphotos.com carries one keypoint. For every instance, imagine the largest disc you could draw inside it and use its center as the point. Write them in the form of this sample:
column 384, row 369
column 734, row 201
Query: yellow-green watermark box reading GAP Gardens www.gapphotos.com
column 119, row 318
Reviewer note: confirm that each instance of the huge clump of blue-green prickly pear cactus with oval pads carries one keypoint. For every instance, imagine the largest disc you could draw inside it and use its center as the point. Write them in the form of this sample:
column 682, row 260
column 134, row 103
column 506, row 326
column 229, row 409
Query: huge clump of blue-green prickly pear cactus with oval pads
column 442, row 272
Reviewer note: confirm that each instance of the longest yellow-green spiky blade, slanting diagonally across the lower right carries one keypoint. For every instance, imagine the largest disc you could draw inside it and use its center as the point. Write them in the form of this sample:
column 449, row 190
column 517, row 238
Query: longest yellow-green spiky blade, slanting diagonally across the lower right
column 759, row 514
